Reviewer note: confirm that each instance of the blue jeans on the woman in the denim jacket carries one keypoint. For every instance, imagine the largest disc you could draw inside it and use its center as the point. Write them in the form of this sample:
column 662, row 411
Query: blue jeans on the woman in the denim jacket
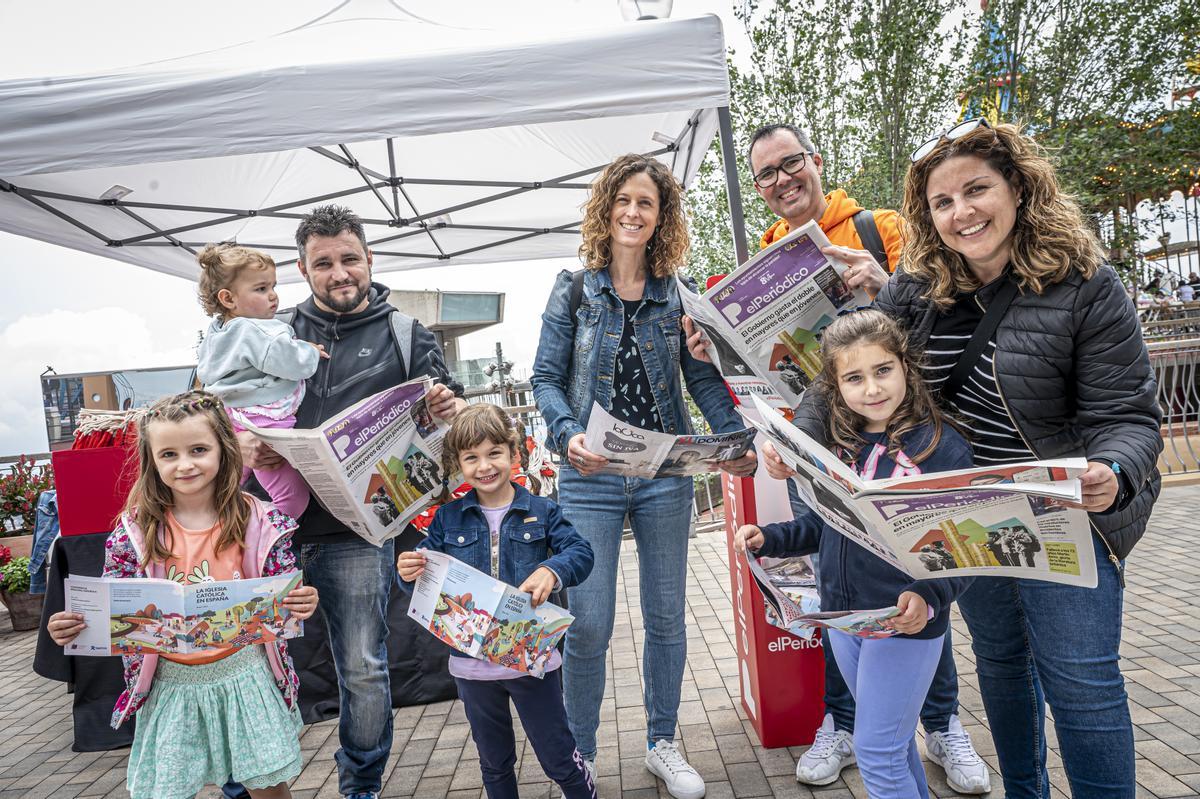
column 659, row 513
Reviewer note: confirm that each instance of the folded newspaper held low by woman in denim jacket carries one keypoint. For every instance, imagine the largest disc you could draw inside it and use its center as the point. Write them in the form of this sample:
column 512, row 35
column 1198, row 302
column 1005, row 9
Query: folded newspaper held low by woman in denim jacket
column 637, row 453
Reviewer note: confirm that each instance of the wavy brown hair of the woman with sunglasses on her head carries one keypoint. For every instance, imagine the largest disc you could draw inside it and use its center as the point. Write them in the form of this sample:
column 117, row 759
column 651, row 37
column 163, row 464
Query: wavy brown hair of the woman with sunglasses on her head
column 1051, row 237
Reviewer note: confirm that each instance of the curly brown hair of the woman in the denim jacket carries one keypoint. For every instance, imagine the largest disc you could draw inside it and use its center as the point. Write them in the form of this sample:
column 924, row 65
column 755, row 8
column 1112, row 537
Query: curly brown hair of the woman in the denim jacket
column 668, row 248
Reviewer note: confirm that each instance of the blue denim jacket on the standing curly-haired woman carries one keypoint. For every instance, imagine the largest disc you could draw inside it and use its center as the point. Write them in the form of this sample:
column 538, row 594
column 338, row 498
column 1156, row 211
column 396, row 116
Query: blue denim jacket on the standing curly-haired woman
column 572, row 373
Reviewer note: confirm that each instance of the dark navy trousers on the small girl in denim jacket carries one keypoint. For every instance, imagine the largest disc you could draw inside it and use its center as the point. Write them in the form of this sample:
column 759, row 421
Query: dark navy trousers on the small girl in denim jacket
column 539, row 704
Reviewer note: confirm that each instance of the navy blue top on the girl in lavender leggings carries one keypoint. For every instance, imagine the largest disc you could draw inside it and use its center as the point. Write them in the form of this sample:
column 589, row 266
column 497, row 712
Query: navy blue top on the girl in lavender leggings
column 851, row 578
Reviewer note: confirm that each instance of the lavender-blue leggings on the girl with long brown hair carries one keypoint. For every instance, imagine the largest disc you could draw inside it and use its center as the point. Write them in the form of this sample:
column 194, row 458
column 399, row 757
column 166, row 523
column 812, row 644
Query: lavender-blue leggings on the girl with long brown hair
column 890, row 680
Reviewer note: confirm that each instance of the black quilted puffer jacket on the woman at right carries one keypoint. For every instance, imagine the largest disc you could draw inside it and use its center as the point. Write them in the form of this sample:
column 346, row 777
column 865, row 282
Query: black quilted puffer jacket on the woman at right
column 1073, row 370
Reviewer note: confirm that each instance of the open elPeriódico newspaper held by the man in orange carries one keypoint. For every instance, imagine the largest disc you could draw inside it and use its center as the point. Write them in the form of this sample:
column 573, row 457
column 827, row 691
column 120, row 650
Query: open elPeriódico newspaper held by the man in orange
column 764, row 321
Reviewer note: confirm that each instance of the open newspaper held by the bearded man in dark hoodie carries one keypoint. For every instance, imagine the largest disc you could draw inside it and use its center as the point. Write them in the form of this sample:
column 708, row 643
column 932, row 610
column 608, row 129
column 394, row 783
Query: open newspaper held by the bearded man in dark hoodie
column 375, row 466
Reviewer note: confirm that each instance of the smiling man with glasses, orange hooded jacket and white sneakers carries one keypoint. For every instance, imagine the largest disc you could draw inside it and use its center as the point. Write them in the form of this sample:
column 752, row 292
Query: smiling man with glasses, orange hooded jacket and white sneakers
column 788, row 176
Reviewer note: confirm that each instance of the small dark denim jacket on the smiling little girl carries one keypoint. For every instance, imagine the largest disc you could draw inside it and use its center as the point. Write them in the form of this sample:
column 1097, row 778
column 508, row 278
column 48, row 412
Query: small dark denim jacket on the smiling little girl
column 535, row 533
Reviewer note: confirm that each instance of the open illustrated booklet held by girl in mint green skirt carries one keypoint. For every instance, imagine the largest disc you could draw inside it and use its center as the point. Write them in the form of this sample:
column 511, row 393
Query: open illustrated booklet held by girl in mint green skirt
column 128, row 617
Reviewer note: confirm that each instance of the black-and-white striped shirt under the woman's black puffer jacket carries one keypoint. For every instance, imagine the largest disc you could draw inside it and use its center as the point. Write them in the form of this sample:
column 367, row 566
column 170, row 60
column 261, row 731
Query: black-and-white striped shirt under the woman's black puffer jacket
column 979, row 407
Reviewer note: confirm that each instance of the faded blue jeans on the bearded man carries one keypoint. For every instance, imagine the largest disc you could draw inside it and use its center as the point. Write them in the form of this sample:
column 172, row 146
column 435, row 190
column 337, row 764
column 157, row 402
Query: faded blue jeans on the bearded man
column 355, row 580
